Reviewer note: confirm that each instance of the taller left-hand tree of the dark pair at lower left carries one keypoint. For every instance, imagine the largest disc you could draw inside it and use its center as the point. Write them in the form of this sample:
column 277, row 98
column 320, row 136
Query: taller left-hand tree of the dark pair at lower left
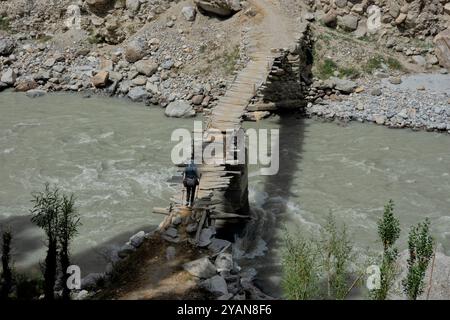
column 45, row 213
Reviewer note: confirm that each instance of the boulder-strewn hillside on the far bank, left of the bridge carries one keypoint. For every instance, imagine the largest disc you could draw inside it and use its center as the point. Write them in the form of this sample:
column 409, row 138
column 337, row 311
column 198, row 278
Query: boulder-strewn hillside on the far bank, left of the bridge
column 157, row 51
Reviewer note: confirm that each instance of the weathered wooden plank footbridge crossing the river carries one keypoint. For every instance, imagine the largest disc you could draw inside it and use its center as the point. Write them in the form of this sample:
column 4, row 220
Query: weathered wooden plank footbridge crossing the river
column 223, row 191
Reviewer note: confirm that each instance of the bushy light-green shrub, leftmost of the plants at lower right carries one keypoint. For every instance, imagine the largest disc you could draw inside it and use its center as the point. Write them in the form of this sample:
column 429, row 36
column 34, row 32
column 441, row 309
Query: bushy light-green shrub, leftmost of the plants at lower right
column 300, row 269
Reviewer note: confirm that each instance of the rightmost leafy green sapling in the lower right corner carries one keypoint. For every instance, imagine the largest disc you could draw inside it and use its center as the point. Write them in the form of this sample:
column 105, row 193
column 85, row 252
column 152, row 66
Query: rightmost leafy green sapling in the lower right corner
column 420, row 245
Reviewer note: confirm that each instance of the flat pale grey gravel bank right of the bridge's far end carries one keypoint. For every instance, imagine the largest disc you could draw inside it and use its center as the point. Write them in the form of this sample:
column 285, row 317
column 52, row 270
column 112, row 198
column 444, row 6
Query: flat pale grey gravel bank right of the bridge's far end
column 417, row 101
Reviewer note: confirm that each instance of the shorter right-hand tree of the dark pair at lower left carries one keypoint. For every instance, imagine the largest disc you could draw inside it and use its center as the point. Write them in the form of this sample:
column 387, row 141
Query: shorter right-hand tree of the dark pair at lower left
column 67, row 229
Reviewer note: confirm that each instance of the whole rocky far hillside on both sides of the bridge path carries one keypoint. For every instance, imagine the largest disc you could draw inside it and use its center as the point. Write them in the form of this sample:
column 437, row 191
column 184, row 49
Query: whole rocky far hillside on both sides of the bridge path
column 185, row 53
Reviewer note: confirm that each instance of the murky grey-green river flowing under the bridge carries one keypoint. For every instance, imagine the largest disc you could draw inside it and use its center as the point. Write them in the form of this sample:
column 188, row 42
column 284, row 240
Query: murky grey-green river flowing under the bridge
column 115, row 157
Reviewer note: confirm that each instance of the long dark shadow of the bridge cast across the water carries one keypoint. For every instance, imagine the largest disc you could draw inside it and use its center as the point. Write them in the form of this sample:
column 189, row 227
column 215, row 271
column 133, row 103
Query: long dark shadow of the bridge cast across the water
column 270, row 218
